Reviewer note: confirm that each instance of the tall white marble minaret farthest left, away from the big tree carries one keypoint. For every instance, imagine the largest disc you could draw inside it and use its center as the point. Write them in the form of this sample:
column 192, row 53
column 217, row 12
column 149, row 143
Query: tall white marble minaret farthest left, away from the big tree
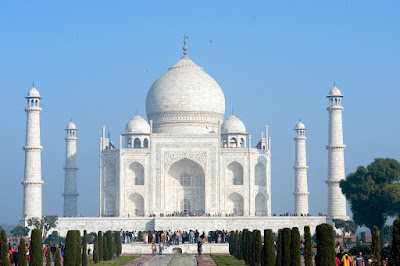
column 33, row 170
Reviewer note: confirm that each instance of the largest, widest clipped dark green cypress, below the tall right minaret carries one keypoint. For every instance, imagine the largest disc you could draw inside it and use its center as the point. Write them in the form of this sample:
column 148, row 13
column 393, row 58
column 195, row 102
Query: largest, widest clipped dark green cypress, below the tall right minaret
column 325, row 245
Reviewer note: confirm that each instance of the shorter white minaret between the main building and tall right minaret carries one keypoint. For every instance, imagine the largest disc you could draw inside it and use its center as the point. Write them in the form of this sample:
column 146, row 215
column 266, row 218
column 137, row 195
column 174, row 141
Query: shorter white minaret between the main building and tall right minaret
column 301, row 188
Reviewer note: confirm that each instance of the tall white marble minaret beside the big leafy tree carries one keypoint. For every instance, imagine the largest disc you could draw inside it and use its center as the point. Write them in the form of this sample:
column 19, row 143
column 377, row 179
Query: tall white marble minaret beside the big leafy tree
column 335, row 147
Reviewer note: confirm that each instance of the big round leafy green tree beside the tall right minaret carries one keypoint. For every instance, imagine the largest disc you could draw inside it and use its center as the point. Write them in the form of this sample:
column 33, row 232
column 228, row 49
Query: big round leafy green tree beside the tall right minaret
column 373, row 192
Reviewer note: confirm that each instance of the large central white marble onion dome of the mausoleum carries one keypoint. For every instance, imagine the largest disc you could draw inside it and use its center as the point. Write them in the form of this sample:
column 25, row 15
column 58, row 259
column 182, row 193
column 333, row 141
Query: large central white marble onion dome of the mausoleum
column 185, row 99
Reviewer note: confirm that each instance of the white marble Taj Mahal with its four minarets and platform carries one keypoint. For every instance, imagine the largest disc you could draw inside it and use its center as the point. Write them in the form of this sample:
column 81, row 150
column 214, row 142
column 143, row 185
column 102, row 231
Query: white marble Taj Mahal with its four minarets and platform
column 215, row 174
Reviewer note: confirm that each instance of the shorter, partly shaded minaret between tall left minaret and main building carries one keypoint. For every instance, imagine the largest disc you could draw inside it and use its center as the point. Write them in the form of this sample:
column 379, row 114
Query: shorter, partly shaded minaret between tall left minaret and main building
column 71, row 170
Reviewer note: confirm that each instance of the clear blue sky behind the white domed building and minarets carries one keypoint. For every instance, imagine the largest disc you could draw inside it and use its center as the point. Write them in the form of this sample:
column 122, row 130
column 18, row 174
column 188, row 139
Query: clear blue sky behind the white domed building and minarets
column 94, row 61
